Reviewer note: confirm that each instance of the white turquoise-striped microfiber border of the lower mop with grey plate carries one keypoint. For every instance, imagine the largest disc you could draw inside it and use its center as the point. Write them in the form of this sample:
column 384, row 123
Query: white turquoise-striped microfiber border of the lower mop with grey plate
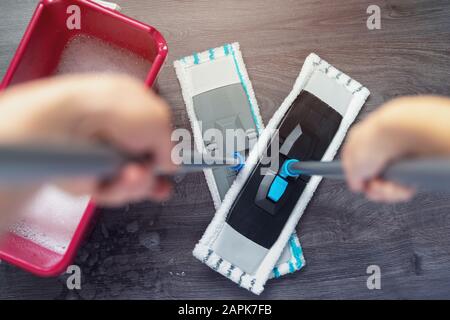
column 296, row 260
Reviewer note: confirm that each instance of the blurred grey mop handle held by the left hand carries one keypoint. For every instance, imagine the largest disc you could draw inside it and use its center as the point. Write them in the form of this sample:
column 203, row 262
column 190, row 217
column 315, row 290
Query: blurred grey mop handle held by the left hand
column 24, row 162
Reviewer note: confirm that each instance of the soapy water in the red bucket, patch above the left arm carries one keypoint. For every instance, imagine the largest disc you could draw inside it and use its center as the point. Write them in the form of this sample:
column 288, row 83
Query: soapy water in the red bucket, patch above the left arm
column 84, row 54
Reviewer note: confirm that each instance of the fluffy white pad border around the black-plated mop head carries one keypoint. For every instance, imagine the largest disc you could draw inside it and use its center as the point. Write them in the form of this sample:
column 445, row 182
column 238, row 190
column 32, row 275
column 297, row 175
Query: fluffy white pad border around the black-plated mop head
column 255, row 283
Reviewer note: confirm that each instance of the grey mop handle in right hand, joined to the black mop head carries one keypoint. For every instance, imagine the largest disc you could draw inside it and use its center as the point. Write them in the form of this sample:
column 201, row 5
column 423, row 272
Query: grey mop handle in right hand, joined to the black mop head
column 426, row 174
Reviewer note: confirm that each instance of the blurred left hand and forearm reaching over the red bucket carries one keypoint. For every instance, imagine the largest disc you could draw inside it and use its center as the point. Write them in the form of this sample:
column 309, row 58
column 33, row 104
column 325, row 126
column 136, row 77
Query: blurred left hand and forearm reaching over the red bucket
column 112, row 109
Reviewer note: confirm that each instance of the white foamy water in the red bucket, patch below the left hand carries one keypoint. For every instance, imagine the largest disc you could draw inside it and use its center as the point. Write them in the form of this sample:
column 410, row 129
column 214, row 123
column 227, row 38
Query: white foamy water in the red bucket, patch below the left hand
column 50, row 218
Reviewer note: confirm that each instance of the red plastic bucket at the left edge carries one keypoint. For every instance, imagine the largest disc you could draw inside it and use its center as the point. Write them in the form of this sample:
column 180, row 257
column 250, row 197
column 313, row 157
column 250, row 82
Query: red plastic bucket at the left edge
column 36, row 57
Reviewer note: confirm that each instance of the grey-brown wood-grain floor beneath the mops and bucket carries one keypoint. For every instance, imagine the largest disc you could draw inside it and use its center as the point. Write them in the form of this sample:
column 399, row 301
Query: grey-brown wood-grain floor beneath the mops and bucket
column 145, row 250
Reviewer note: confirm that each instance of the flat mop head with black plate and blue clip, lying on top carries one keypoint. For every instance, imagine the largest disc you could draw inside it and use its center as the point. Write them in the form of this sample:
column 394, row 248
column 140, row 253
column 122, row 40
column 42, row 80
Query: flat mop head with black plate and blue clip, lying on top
column 260, row 212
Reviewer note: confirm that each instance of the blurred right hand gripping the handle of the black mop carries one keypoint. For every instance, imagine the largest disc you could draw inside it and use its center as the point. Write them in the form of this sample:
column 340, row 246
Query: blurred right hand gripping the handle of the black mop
column 404, row 127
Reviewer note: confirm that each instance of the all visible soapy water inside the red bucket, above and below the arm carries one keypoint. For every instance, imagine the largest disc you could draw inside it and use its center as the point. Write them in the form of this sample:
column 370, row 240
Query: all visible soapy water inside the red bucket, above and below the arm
column 51, row 217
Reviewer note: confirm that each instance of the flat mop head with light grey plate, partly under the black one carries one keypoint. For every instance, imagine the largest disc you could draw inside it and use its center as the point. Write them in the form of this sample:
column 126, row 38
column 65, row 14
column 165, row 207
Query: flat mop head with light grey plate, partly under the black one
column 218, row 95
